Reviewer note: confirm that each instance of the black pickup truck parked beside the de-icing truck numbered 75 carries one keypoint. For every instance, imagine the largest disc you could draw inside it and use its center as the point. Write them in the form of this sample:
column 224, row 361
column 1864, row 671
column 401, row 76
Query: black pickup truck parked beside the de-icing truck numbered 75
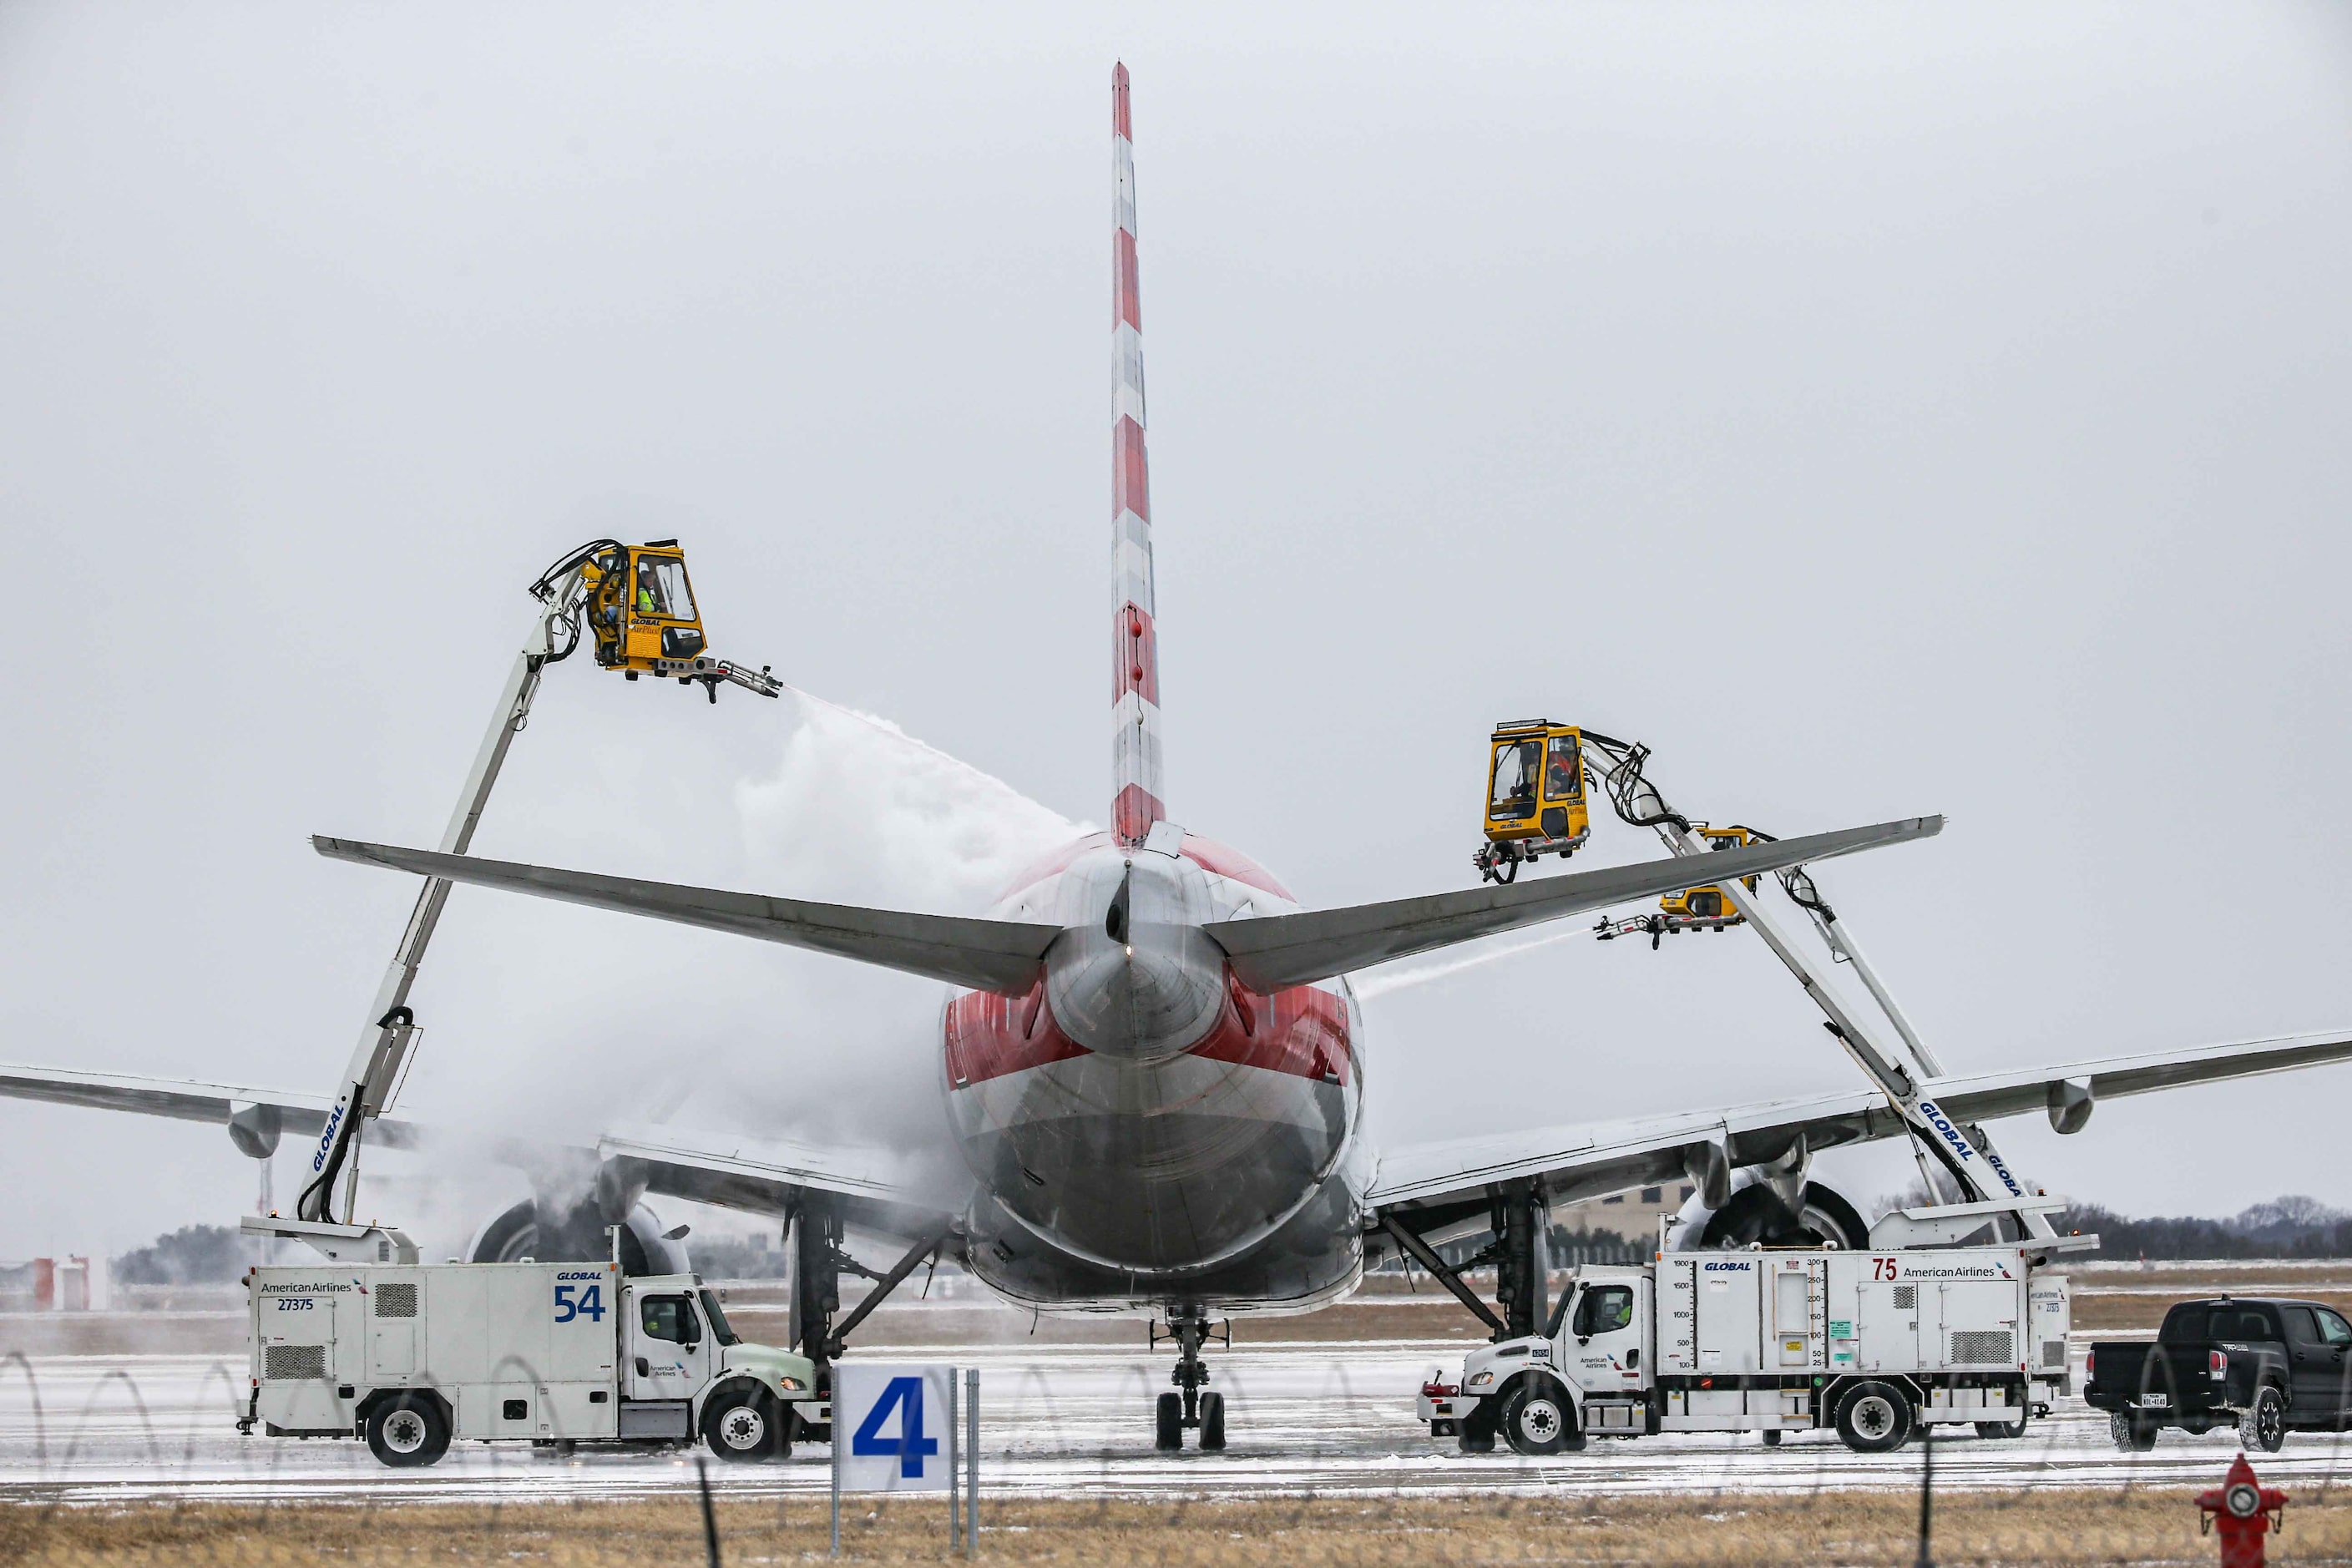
column 2269, row 1367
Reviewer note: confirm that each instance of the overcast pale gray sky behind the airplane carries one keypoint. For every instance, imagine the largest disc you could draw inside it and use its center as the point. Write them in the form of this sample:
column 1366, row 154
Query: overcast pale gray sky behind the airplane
column 1880, row 410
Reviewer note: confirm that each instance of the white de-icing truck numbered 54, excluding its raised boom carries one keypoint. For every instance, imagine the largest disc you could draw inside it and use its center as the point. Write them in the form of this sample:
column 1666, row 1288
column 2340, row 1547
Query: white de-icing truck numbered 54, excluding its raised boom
column 552, row 1353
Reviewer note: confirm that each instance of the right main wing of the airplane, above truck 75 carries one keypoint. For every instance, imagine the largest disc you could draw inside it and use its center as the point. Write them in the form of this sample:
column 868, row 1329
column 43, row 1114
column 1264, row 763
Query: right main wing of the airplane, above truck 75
column 1582, row 1162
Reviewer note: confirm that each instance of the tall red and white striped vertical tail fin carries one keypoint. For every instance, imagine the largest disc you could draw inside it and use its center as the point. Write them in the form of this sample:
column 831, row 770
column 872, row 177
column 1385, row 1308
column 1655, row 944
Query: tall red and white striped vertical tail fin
column 1135, row 643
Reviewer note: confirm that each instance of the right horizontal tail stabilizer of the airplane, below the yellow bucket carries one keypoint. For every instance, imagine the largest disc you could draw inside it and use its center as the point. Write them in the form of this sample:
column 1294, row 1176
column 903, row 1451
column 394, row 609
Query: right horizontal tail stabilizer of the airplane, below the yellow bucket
column 1281, row 951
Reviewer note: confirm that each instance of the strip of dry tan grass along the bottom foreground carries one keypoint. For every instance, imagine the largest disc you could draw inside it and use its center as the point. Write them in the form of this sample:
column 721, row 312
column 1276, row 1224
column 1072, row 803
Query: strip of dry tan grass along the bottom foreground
column 2047, row 1527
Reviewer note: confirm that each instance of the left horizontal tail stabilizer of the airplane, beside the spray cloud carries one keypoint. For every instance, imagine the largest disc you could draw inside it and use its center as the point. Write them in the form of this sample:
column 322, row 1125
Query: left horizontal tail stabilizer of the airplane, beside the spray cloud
column 994, row 956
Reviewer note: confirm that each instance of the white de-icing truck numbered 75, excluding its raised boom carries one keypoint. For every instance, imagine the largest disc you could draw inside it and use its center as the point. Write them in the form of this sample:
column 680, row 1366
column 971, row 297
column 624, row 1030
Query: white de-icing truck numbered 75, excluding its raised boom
column 1775, row 1341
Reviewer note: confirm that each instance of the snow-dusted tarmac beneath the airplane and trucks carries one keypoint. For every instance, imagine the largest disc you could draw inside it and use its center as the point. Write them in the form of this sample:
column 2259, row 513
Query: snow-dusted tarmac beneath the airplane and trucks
column 1057, row 1421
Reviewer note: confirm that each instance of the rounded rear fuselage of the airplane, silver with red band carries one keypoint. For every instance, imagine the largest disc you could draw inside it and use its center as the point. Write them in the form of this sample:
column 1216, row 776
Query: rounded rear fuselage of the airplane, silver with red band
column 1147, row 1130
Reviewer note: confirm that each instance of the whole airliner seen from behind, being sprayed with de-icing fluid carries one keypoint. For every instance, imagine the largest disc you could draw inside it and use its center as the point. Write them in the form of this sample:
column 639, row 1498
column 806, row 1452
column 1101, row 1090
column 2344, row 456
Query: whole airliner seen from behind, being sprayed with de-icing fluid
column 1151, row 1057
